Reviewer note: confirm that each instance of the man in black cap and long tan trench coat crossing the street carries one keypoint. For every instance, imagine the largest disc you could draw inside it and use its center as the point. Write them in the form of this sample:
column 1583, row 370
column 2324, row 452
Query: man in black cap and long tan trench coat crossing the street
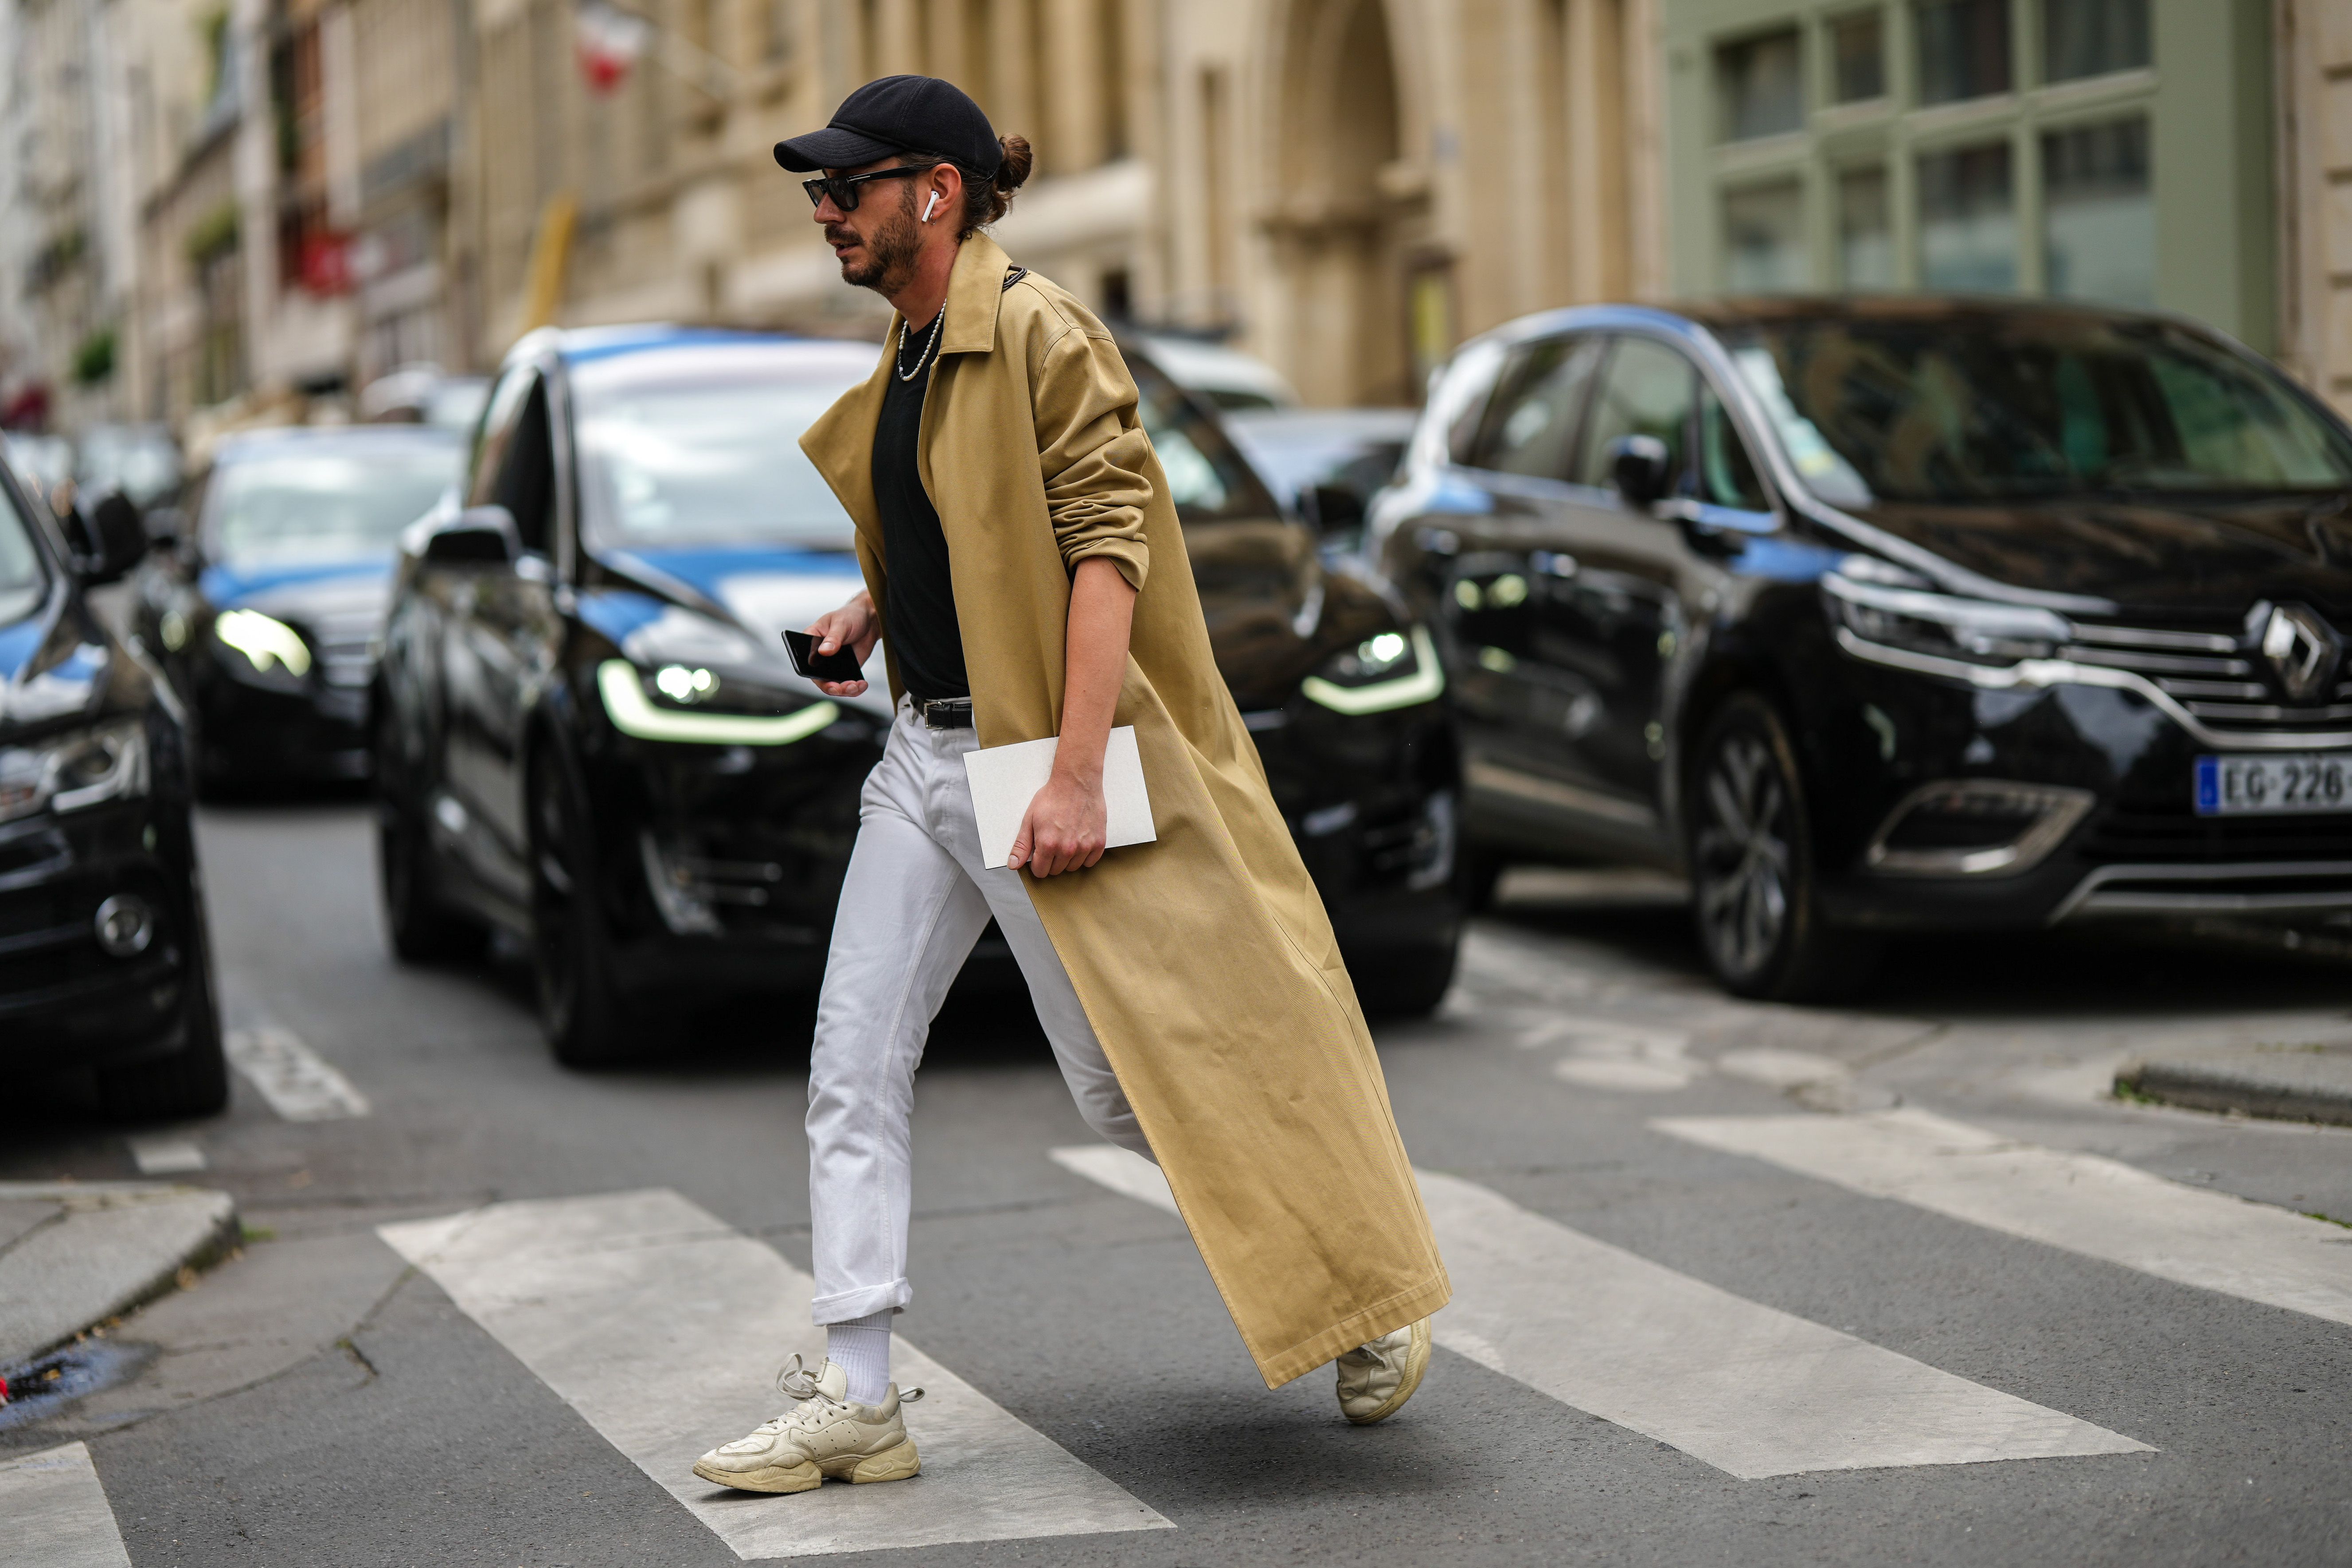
column 1027, row 577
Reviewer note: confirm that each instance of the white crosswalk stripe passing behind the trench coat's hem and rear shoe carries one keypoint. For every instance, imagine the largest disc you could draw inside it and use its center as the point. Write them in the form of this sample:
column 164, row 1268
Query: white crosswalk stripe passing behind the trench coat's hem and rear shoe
column 1746, row 1388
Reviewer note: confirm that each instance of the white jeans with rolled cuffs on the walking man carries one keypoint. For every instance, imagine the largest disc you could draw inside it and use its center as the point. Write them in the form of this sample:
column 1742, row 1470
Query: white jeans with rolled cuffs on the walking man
column 914, row 906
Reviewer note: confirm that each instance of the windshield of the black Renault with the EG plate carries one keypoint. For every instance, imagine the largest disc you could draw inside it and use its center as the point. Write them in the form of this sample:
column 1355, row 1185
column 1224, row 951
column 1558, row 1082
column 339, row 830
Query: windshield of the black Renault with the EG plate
column 2031, row 406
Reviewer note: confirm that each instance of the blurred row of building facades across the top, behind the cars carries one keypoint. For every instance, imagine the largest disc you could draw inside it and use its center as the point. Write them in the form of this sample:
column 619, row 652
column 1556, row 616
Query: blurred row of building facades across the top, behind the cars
column 241, row 210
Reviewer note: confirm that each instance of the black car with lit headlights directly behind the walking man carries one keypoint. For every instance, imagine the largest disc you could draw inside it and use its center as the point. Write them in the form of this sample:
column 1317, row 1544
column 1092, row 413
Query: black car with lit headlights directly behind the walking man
column 589, row 732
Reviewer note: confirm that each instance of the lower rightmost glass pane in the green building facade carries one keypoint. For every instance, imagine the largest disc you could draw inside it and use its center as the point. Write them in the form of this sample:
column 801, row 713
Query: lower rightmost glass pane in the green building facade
column 2099, row 227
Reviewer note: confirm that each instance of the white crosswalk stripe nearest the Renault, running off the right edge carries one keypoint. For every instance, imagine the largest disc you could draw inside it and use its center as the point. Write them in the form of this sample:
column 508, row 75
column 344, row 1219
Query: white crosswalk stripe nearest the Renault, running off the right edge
column 2078, row 1202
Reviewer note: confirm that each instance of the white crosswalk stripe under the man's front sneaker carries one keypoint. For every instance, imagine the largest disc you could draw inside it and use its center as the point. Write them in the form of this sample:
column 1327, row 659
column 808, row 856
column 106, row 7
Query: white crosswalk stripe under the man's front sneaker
column 664, row 1329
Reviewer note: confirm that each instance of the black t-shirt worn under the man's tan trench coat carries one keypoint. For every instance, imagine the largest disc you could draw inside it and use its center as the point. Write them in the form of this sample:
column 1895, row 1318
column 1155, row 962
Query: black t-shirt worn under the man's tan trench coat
column 918, row 608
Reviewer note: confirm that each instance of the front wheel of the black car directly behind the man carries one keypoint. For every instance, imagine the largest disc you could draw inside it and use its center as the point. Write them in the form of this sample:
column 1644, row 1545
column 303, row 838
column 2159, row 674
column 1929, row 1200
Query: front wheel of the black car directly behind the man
column 582, row 1010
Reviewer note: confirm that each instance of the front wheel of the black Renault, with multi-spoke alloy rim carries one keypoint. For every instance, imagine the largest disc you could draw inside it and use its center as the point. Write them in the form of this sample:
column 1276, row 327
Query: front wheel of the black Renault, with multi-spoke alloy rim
column 1753, row 880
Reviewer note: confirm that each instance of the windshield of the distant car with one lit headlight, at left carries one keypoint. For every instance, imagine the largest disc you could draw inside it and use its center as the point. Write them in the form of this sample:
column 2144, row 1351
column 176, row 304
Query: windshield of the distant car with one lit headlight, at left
column 326, row 504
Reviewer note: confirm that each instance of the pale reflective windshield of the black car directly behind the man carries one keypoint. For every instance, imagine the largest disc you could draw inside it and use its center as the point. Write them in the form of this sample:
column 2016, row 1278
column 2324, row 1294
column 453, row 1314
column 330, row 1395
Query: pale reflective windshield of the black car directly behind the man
column 709, row 455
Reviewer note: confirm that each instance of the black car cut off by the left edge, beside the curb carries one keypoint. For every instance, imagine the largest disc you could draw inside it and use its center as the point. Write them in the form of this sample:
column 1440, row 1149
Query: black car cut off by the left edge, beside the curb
column 105, row 960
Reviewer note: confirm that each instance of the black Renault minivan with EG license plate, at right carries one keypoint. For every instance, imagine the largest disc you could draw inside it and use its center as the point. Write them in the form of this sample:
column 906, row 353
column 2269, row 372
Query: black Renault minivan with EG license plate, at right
column 1902, row 615
